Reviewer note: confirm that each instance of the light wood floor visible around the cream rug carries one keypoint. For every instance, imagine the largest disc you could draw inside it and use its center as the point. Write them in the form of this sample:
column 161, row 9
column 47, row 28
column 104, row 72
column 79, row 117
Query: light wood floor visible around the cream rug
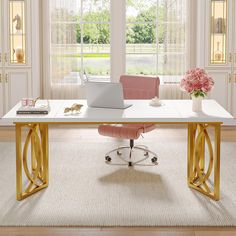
column 73, row 134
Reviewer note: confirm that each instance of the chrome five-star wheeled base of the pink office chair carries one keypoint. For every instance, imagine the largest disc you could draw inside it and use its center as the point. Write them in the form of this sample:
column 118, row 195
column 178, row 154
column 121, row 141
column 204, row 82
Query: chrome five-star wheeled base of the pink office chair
column 129, row 161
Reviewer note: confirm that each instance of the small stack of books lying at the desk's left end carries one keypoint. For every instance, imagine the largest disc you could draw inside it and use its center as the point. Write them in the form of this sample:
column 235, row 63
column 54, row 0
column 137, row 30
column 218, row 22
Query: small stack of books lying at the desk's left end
column 38, row 109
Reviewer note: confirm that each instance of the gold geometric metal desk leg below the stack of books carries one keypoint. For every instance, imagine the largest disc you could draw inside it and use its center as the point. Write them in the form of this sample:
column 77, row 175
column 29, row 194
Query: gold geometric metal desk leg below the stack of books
column 36, row 176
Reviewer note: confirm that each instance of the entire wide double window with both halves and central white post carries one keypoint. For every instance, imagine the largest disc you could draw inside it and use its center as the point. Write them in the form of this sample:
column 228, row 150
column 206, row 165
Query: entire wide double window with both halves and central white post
column 107, row 38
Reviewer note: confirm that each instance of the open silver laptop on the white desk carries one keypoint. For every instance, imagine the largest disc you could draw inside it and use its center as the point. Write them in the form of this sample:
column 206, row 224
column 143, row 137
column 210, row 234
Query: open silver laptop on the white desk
column 105, row 95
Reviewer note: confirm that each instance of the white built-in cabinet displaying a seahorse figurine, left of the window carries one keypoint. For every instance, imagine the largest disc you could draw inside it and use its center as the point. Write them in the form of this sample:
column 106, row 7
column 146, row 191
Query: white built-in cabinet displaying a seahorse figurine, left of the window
column 19, row 42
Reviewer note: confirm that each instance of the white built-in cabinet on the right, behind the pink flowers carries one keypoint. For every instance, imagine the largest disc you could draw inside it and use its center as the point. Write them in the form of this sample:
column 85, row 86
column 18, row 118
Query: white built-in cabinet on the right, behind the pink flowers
column 217, row 48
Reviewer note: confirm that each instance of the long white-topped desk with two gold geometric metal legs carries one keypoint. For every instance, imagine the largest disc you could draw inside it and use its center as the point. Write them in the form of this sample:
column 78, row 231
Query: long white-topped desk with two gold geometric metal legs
column 172, row 112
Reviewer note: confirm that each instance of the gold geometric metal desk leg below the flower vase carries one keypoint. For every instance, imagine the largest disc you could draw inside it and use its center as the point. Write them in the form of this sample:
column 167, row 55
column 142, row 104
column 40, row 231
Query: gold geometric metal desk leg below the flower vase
column 200, row 168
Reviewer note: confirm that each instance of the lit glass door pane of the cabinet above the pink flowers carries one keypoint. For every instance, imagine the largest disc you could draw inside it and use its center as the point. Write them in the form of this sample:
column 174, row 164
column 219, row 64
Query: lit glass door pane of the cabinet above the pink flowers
column 218, row 31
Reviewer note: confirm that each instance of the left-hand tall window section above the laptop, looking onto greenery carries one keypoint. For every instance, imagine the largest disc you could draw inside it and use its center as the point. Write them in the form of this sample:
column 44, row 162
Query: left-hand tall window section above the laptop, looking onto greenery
column 80, row 40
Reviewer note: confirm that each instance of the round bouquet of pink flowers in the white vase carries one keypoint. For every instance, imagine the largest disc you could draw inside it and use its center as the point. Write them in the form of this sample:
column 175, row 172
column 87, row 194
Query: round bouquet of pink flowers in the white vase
column 197, row 82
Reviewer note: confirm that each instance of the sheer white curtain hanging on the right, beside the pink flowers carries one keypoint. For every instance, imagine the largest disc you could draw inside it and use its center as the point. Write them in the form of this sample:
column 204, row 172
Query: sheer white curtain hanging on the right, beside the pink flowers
column 180, row 27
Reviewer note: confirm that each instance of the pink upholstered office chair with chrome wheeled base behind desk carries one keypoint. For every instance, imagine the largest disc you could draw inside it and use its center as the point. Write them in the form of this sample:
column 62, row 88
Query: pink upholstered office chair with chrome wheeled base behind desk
column 134, row 87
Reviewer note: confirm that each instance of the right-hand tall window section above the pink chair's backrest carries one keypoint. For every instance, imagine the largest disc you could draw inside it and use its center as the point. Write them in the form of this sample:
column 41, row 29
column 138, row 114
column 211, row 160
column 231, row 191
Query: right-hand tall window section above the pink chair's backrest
column 156, row 38
